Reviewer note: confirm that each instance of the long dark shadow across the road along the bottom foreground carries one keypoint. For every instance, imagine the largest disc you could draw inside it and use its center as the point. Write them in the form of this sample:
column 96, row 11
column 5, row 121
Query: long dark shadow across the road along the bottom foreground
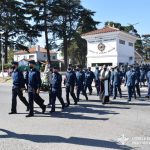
column 58, row 139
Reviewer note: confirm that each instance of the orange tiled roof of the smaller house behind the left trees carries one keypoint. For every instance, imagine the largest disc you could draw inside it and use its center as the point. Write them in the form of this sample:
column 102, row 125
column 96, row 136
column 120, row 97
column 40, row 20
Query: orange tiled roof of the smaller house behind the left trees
column 33, row 50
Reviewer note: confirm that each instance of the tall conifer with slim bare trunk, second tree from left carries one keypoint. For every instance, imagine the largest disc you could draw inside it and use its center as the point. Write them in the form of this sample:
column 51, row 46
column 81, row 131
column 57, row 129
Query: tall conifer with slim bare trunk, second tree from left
column 40, row 10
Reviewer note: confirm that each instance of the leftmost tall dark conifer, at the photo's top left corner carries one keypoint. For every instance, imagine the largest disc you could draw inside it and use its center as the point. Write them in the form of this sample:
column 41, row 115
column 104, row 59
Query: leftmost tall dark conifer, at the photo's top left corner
column 15, row 24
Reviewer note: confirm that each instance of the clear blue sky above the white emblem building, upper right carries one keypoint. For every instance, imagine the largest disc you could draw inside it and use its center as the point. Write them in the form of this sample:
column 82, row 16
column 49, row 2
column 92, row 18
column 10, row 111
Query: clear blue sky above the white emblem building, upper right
column 122, row 11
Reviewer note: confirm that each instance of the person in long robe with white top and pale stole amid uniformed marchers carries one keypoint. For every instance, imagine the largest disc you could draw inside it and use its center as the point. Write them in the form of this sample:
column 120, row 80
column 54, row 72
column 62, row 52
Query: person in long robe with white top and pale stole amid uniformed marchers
column 104, row 85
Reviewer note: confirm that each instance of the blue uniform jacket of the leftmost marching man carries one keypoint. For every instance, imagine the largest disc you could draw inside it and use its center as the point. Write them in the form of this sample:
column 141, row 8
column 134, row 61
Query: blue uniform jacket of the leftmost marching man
column 18, row 80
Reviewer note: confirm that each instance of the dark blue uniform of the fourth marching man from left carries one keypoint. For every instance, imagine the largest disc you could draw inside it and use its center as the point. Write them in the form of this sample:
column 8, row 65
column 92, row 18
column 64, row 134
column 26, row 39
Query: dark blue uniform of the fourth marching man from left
column 70, row 81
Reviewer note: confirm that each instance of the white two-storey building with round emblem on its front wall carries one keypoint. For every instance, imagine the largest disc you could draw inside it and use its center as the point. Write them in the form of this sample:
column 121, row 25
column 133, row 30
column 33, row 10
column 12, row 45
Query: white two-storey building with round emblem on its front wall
column 109, row 46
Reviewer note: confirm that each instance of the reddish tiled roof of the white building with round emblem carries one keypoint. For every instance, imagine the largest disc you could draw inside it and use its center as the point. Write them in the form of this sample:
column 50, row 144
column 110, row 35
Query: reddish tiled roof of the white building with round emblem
column 103, row 30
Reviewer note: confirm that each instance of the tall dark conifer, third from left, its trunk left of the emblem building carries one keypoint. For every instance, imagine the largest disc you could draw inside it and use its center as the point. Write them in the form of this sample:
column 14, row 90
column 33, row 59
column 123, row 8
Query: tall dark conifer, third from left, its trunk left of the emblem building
column 67, row 13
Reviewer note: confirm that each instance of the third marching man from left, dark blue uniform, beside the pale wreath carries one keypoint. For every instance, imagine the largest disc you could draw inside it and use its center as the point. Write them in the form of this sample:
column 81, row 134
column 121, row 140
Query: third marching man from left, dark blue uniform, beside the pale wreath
column 56, row 89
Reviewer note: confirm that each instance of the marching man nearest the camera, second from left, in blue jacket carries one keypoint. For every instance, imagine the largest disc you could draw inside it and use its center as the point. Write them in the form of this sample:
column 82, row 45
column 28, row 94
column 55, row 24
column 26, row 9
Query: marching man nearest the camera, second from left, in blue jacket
column 34, row 84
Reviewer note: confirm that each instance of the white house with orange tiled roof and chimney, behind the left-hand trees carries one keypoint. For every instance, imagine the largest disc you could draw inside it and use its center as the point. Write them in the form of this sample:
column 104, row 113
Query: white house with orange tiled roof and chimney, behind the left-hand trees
column 36, row 53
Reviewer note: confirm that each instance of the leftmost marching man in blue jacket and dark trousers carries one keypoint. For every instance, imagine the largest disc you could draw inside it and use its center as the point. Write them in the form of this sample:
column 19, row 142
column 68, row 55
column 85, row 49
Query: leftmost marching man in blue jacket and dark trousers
column 17, row 88
